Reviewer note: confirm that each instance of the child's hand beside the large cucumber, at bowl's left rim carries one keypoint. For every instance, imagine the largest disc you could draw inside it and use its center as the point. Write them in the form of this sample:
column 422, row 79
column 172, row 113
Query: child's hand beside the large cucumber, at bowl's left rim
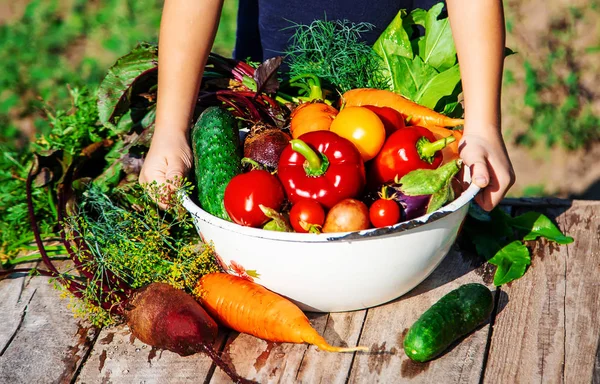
column 169, row 159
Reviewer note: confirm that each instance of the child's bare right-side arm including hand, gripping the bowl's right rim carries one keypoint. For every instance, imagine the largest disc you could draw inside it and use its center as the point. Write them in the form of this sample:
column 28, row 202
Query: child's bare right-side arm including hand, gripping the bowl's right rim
column 479, row 35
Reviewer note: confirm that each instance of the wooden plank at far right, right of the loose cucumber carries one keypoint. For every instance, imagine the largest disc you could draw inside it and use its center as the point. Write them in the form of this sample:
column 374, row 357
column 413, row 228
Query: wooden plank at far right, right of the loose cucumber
column 549, row 329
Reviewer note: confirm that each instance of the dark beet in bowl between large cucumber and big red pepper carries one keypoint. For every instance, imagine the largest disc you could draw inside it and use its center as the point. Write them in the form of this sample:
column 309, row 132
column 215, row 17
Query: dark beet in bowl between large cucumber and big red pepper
column 264, row 145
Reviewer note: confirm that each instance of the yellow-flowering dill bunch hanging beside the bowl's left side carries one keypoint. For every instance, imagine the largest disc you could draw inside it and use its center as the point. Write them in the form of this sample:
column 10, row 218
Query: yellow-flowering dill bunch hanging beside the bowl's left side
column 131, row 238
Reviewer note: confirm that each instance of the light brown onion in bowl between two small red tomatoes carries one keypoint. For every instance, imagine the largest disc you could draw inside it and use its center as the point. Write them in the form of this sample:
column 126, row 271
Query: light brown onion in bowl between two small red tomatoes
column 347, row 215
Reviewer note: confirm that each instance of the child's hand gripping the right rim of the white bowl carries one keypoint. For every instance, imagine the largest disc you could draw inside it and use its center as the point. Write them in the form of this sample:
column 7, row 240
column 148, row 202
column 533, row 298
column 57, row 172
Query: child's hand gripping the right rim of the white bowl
column 491, row 169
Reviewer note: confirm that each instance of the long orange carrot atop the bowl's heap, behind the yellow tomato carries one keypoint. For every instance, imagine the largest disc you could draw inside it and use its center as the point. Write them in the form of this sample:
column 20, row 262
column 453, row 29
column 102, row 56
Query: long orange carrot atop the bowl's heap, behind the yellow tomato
column 417, row 114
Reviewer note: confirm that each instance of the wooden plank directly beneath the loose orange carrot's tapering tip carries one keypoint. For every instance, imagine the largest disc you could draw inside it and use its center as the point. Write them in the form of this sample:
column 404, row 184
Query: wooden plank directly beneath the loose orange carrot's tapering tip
column 296, row 363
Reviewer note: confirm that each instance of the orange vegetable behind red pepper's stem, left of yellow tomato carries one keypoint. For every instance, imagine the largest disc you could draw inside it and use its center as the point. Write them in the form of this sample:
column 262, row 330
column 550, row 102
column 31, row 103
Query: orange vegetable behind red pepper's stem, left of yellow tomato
column 308, row 117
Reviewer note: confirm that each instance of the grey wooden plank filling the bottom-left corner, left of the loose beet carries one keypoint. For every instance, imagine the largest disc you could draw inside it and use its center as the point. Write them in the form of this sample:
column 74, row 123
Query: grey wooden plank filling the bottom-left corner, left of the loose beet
column 50, row 344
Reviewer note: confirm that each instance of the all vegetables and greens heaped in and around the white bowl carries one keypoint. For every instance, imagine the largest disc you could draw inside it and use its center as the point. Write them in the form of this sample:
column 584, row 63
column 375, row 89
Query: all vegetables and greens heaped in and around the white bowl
column 347, row 137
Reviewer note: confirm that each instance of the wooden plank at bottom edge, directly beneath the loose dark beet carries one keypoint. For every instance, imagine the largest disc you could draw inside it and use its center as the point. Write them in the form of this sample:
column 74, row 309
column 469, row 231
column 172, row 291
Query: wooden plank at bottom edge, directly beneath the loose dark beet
column 118, row 357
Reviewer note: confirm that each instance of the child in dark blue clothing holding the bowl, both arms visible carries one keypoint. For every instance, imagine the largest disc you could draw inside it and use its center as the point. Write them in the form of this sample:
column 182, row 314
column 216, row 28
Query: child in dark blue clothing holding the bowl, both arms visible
column 187, row 32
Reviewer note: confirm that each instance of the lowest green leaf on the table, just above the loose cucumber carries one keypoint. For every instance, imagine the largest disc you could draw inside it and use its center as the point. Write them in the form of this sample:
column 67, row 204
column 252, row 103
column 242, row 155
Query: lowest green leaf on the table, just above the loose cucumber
column 512, row 261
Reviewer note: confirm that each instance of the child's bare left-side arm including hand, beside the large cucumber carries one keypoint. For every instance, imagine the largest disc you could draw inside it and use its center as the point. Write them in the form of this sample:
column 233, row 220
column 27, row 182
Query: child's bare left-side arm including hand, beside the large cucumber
column 187, row 32
